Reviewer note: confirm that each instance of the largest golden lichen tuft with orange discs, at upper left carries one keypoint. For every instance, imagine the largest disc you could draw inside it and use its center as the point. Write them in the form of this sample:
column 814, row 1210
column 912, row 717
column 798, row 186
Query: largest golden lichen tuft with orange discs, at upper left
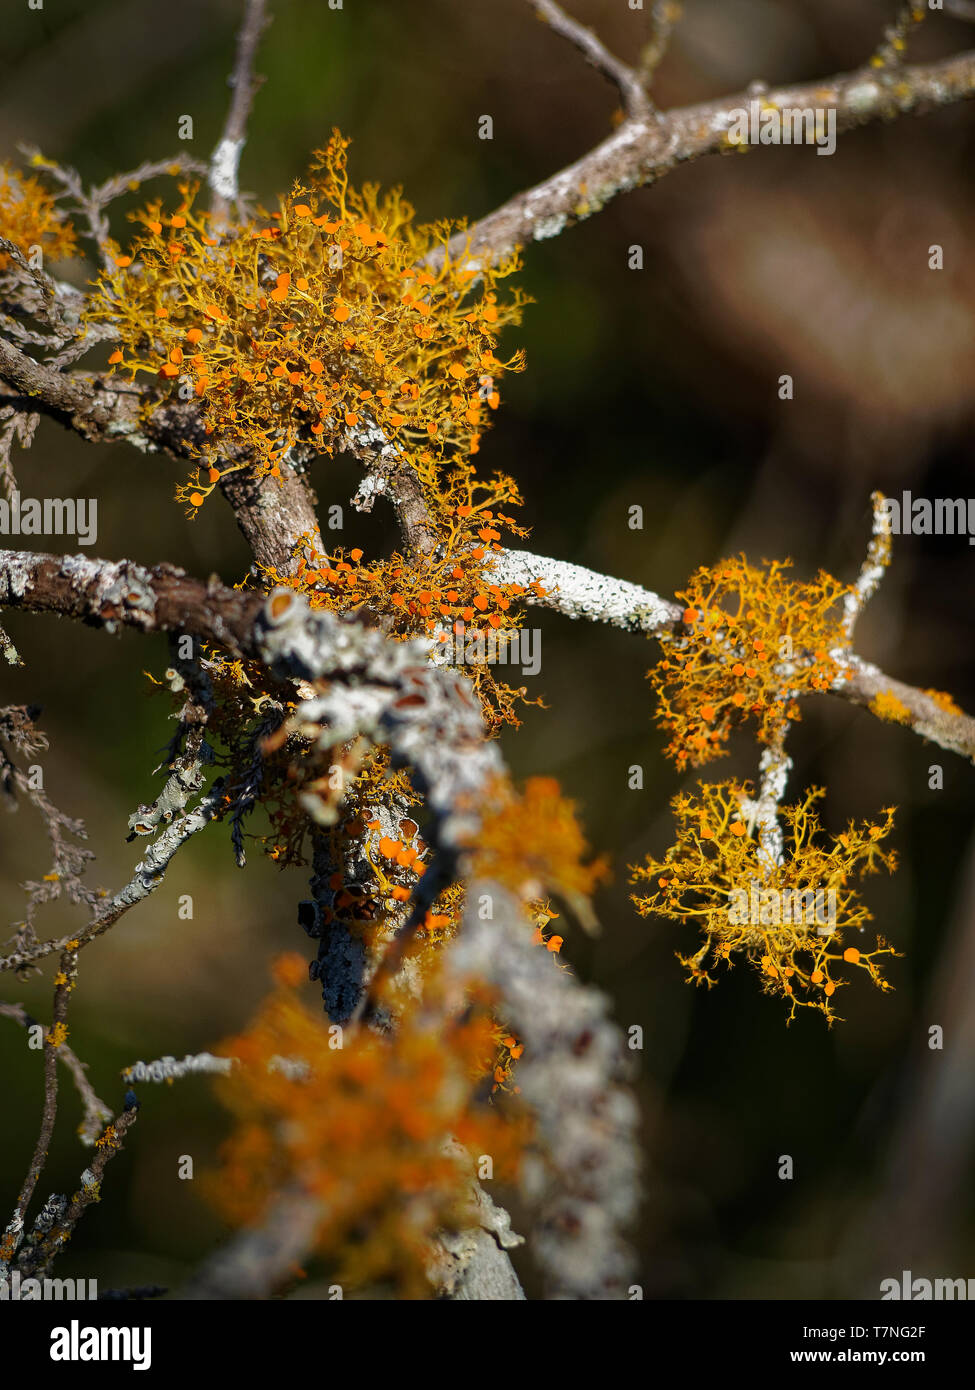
column 314, row 322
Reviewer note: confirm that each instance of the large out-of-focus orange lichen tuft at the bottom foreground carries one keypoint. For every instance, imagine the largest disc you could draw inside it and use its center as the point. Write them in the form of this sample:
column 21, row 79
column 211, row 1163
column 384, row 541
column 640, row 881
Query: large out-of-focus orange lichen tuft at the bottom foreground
column 369, row 1125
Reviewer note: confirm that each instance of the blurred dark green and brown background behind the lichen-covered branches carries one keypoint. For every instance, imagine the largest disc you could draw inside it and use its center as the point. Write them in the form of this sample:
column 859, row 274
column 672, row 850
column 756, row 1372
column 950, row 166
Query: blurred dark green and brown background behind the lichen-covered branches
column 653, row 387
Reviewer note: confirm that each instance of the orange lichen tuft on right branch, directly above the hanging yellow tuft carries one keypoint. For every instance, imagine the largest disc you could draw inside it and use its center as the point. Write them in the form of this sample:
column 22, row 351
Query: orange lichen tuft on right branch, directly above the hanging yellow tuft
column 750, row 644
